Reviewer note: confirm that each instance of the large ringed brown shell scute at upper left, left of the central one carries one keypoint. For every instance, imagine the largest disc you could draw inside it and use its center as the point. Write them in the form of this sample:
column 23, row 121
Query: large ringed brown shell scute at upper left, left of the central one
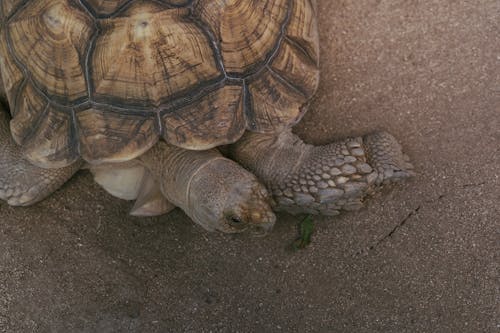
column 50, row 41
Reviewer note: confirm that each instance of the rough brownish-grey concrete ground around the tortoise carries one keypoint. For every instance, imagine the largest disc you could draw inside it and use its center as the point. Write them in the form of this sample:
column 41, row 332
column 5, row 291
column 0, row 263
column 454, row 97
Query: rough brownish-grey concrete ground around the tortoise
column 421, row 257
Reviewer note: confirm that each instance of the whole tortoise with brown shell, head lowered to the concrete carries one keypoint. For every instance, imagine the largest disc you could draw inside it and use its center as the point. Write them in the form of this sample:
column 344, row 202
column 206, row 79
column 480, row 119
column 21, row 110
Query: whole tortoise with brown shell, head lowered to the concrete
column 143, row 93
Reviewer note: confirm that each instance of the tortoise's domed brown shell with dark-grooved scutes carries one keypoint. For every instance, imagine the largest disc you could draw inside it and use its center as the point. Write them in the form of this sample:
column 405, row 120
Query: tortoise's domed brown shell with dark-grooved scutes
column 103, row 80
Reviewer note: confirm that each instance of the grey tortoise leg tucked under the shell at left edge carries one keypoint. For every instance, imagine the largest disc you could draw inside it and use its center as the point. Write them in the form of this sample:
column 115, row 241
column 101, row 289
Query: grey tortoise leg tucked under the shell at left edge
column 22, row 183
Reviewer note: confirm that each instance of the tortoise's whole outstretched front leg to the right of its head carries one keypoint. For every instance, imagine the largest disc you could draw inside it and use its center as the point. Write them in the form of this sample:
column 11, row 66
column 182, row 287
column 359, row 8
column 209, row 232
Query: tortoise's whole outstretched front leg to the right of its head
column 321, row 179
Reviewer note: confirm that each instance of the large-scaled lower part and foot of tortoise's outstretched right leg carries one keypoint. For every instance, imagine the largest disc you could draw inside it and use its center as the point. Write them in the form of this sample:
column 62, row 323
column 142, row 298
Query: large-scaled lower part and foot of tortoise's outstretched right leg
column 338, row 176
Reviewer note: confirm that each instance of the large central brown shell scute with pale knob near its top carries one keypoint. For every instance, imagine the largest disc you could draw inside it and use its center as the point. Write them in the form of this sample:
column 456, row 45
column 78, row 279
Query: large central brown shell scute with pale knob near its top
column 155, row 56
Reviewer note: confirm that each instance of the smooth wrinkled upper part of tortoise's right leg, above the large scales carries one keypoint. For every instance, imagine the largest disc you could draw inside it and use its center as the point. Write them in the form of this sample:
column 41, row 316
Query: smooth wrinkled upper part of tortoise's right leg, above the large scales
column 272, row 157
